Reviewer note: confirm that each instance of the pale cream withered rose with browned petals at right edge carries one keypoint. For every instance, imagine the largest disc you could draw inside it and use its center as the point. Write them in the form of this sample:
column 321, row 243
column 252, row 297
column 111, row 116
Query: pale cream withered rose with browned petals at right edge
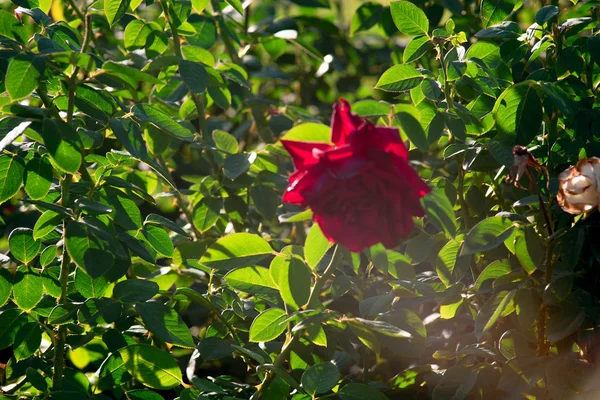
column 578, row 188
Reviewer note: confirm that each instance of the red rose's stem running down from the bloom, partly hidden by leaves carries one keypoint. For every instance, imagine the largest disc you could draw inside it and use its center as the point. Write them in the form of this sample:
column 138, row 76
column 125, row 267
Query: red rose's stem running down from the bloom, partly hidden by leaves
column 314, row 303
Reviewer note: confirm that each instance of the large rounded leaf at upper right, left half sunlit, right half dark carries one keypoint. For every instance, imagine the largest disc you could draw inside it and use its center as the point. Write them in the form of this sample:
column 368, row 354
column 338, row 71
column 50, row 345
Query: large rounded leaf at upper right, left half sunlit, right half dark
column 518, row 112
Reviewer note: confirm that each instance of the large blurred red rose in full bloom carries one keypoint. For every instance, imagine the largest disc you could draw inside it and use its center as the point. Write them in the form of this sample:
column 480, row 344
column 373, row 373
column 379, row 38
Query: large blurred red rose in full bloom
column 361, row 189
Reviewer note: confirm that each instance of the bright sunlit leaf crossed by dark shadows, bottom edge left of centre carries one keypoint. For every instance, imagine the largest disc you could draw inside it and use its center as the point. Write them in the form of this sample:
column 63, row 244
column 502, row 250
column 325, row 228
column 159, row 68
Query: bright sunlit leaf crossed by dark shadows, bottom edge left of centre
column 151, row 366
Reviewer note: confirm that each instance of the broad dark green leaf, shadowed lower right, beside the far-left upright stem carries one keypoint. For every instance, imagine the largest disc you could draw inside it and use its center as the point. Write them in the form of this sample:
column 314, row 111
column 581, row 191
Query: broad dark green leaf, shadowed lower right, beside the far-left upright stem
column 88, row 250
